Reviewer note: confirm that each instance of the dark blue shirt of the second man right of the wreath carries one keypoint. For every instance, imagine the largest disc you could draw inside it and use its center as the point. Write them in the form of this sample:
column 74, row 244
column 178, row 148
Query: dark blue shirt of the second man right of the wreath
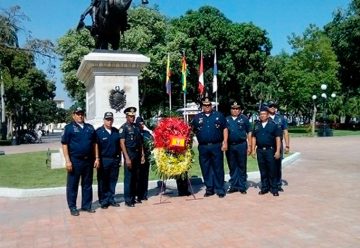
column 238, row 129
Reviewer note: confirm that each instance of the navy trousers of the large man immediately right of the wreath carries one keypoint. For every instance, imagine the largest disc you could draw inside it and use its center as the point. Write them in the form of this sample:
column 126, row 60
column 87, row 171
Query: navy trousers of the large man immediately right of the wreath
column 211, row 159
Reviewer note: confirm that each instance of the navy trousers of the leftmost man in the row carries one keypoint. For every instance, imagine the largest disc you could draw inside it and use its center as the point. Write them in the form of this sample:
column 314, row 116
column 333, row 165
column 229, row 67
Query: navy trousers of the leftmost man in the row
column 82, row 168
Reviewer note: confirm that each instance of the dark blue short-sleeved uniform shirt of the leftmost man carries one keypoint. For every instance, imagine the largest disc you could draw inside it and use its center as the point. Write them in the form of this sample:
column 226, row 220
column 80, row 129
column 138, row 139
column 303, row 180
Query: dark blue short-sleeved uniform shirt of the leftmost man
column 79, row 140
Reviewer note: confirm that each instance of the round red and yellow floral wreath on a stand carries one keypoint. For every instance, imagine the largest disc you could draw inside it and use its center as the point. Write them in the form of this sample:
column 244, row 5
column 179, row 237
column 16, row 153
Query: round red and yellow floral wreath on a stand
column 172, row 154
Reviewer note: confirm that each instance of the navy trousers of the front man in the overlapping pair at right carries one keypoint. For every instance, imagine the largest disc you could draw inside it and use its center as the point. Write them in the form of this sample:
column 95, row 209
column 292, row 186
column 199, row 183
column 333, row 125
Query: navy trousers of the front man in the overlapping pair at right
column 267, row 167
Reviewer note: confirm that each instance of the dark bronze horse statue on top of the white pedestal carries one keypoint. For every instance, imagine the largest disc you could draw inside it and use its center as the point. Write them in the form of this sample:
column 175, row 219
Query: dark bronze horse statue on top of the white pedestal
column 109, row 21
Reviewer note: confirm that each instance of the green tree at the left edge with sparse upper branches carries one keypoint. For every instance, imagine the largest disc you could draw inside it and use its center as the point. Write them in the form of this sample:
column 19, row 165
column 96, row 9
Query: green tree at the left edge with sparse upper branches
column 29, row 94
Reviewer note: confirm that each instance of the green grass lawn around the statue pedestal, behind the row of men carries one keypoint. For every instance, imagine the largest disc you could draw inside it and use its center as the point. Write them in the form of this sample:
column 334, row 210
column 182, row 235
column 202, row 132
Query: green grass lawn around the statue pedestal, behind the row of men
column 29, row 170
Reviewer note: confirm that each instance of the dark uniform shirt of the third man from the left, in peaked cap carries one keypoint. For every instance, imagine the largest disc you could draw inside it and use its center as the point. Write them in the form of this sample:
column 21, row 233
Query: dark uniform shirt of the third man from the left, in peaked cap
column 131, row 134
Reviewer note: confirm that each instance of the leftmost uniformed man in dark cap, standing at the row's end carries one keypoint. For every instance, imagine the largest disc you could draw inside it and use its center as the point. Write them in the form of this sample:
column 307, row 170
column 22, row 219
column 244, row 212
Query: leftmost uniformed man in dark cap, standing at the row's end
column 78, row 143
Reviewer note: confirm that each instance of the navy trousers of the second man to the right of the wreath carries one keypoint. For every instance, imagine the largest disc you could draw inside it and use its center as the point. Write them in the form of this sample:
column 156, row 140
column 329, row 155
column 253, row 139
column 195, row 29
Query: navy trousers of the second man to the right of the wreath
column 237, row 160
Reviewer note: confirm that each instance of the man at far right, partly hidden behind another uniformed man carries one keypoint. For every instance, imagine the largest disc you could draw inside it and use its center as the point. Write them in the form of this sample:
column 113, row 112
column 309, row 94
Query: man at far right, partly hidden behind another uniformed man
column 282, row 124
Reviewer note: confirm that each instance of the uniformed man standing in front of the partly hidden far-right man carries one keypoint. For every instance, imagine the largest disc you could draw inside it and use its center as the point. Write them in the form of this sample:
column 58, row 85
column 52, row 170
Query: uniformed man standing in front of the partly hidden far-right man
column 266, row 145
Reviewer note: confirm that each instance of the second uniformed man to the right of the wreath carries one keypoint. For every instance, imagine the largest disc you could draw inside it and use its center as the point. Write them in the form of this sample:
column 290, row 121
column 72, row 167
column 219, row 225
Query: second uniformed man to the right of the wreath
column 238, row 148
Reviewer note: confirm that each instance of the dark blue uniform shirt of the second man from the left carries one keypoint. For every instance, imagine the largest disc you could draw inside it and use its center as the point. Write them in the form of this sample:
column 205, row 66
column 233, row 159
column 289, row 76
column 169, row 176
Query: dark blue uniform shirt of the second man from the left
column 109, row 144
